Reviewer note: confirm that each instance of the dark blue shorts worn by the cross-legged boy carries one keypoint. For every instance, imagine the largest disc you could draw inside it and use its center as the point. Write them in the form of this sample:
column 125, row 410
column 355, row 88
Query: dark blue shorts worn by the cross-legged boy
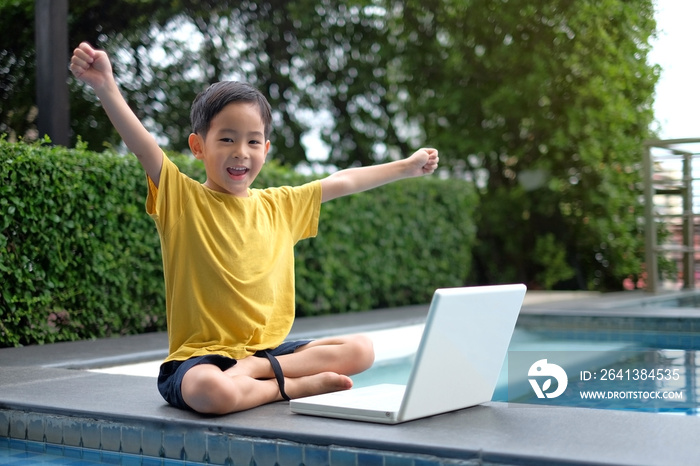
column 172, row 372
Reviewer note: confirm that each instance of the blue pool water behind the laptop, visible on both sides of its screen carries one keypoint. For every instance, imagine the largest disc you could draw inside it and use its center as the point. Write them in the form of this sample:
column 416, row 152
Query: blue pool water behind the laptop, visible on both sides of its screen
column 627, row 388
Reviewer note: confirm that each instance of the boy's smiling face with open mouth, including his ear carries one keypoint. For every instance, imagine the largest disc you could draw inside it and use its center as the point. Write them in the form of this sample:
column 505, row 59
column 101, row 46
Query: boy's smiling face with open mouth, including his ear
column 234, row 149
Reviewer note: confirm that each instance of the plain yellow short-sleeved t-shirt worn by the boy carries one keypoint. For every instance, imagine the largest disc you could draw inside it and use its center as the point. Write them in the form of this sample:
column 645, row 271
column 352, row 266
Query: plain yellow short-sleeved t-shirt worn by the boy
column 228, row 262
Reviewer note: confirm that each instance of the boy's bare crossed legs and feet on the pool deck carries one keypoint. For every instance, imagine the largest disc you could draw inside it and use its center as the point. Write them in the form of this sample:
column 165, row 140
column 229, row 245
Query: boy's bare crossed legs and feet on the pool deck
column 321, row 366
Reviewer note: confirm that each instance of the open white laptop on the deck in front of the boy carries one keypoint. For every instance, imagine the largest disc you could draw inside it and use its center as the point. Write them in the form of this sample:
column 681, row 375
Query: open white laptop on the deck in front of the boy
column 459, row 359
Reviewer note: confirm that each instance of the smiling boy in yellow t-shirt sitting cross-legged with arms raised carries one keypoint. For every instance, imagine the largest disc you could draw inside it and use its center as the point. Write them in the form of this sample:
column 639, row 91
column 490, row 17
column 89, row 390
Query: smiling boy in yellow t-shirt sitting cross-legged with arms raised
column 228, row 255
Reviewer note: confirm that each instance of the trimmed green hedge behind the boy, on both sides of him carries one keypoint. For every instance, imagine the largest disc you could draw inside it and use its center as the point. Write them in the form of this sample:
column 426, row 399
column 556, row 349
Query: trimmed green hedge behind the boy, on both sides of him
column 80, row 258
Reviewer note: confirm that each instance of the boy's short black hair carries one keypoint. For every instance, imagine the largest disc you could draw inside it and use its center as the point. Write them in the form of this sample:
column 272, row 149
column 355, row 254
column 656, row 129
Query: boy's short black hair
column 213, row 99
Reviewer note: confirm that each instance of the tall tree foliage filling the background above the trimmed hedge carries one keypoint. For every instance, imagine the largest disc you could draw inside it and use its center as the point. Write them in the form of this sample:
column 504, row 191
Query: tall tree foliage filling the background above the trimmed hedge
column 544, row 105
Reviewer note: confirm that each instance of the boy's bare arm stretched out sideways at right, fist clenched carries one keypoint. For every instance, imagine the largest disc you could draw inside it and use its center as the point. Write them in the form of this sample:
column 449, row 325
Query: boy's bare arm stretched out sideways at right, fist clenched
column 355, row 180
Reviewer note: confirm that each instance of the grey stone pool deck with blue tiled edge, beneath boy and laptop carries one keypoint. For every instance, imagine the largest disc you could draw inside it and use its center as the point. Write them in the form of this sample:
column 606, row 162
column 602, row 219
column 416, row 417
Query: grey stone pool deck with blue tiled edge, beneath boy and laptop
column 44, row 398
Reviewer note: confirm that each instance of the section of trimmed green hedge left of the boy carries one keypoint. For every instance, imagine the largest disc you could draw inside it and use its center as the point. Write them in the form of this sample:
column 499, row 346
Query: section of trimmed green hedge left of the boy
column 78, row 256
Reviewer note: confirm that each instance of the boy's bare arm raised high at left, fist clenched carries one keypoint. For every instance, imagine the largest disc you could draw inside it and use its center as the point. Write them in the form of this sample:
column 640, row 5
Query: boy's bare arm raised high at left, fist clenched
column 93, row 67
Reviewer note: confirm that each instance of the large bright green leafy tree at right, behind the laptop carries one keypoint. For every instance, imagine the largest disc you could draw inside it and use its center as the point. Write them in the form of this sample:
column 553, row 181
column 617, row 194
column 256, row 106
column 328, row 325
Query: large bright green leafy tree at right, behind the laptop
column 547, row 105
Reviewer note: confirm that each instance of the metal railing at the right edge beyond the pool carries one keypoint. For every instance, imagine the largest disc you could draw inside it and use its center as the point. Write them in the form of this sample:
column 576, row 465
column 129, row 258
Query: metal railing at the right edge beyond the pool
column 671, row 208
